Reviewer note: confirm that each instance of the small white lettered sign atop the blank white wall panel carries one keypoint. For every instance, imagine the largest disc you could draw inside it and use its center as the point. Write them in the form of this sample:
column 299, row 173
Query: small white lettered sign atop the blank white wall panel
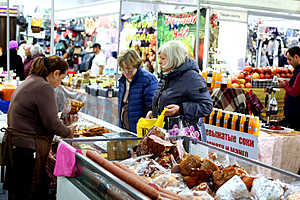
column 228, row 15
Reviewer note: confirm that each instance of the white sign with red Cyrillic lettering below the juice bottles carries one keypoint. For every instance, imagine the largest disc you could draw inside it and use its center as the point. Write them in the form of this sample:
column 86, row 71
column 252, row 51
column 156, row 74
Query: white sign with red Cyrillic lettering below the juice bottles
column 237, row 142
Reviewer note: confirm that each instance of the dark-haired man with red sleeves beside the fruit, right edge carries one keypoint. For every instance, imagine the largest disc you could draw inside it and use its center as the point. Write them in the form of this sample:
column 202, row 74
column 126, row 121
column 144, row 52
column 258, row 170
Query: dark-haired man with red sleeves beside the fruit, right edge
column 292, row 89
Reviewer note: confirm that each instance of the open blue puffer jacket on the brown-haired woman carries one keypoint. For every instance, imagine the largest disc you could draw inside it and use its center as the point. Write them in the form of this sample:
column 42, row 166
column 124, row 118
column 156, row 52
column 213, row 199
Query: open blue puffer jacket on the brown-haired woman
column 140, row 96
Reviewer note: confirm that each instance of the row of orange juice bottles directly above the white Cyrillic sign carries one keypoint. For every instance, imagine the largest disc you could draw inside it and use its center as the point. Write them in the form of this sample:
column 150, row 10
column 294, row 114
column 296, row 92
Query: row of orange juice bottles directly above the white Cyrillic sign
column 235, row 121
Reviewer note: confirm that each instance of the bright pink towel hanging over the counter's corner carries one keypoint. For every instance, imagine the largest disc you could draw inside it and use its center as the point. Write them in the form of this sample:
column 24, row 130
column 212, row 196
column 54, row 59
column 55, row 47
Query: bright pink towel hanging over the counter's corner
column 65, row 160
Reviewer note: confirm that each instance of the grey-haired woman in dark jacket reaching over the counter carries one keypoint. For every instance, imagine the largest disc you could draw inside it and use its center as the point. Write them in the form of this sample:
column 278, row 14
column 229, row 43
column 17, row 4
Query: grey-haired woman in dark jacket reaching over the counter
column 181, row 89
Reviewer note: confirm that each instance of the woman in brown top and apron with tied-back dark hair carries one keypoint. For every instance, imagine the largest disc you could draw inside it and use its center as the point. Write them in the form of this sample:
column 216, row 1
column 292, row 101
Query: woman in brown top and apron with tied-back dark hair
column 32, row 123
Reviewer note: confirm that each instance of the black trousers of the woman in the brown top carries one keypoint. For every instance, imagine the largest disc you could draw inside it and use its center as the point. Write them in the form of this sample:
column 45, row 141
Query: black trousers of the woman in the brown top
column 18, row 178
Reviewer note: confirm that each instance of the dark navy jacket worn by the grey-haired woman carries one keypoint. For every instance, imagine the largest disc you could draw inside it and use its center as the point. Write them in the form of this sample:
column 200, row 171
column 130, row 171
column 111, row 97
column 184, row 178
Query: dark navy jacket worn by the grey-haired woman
column 184, row 87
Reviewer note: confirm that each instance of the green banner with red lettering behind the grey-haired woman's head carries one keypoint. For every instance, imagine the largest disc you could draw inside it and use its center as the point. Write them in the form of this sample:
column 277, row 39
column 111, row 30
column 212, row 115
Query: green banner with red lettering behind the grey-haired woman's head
column 180, row 27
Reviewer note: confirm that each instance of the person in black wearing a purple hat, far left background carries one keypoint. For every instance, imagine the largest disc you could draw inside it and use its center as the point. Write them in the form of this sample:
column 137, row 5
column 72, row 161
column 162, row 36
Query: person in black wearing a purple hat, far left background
column 16, row 63
